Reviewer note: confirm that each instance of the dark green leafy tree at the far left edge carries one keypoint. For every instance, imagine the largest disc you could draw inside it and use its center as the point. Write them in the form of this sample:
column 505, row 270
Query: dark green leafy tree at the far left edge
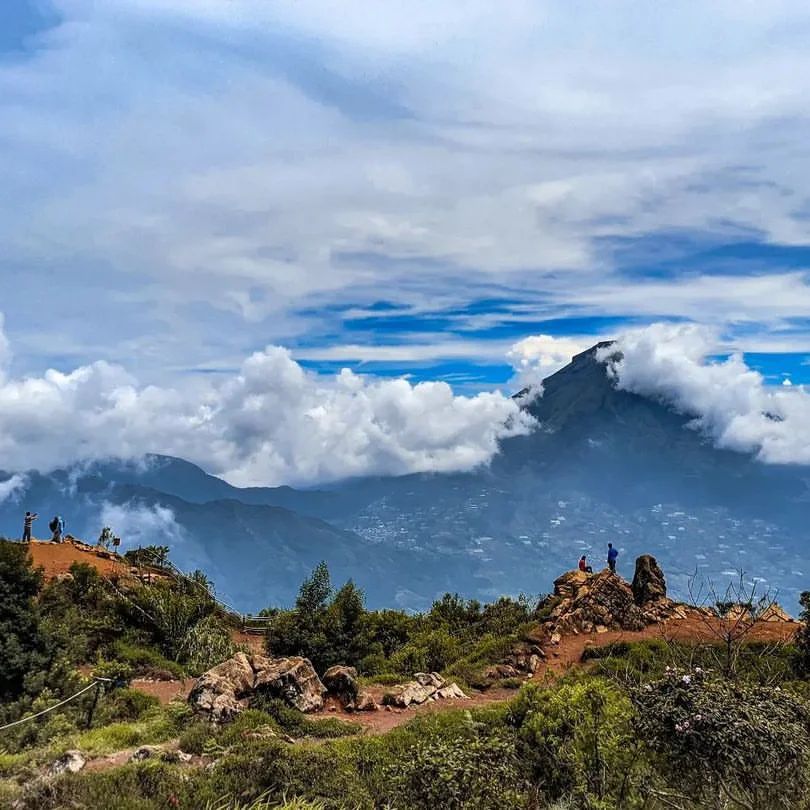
column 23, row 648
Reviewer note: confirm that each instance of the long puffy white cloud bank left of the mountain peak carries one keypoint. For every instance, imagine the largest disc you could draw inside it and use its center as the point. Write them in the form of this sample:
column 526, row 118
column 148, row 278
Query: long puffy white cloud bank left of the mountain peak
column 271, row 422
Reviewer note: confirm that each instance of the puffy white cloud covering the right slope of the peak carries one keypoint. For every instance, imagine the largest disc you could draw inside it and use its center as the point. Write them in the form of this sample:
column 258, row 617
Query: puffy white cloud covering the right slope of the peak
column 729, row 401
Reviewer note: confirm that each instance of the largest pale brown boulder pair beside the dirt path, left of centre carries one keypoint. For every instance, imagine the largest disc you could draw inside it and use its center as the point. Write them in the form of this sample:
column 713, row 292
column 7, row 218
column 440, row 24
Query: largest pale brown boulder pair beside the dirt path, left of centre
column 228, row 688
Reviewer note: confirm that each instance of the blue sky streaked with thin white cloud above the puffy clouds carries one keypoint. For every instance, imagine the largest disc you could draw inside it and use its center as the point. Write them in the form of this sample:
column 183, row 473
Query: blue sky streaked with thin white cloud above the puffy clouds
column 409, row 192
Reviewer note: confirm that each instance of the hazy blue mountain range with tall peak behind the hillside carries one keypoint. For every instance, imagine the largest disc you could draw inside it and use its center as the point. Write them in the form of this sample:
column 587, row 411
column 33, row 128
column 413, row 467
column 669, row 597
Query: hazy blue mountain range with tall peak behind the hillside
column 604, row 464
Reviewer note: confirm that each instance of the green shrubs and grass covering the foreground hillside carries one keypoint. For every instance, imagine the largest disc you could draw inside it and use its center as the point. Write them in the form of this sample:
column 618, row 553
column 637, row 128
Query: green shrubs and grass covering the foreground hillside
column 640, row 726
